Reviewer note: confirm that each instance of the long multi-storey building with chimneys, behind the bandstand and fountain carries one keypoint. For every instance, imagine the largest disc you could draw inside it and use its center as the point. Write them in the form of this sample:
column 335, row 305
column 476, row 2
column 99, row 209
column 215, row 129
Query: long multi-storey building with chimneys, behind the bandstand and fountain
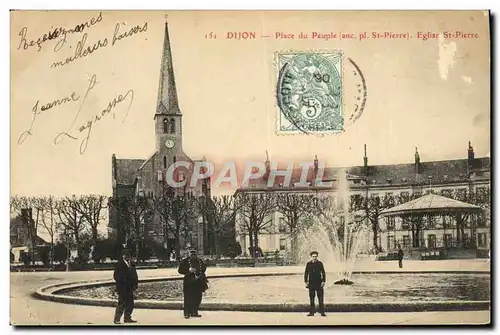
column 466, row 180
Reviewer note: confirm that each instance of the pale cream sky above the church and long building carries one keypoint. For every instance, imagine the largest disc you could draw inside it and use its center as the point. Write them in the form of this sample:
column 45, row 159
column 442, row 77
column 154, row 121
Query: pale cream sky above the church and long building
column 434, row 93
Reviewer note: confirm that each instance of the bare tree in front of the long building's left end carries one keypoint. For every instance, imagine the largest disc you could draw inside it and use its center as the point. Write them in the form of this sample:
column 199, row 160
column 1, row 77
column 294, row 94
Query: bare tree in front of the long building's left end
column 255, row 211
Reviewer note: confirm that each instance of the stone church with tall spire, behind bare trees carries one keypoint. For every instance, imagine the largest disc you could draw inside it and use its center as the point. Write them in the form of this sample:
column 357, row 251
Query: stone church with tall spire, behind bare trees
column 147, row 177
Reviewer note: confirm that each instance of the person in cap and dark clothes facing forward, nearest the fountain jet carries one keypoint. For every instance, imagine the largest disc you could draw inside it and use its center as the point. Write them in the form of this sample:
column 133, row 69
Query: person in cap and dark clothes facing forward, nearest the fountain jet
column 315, row 278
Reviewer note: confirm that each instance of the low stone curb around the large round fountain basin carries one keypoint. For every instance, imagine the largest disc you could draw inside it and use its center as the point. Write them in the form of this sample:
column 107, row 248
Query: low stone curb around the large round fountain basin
column 52, row 293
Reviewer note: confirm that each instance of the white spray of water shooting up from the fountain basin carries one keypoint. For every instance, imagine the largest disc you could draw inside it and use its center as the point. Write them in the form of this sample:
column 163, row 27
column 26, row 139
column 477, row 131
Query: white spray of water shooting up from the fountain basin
column 335, row 234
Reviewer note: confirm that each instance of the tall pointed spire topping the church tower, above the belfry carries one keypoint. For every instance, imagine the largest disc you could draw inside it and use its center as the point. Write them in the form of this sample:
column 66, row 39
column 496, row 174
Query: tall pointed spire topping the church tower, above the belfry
column 167, row 92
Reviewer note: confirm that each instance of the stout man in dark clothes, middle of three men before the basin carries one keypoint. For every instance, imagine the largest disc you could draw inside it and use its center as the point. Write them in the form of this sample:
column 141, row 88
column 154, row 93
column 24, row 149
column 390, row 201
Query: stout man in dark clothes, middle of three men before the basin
column 194, row 284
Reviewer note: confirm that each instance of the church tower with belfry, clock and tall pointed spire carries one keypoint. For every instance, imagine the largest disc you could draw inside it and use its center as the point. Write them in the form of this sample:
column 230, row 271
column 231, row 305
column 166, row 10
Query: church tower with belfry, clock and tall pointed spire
column 168, row 123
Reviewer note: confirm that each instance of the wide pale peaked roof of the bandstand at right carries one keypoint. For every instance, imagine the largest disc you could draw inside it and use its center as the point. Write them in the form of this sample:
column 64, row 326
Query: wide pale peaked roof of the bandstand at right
column 431, row 204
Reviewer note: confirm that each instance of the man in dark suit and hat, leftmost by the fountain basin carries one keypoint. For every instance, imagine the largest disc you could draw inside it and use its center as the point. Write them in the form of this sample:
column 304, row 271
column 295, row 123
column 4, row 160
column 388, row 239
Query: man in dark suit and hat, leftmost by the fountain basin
column 126, row 279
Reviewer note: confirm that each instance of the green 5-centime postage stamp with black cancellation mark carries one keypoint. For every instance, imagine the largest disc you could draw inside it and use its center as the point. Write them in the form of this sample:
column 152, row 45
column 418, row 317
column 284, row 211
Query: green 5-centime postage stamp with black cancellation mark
column 309, row 93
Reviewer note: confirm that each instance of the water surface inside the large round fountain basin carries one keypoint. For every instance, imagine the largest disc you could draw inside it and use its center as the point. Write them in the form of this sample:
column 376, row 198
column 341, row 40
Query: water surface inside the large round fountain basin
column 285, row 292
